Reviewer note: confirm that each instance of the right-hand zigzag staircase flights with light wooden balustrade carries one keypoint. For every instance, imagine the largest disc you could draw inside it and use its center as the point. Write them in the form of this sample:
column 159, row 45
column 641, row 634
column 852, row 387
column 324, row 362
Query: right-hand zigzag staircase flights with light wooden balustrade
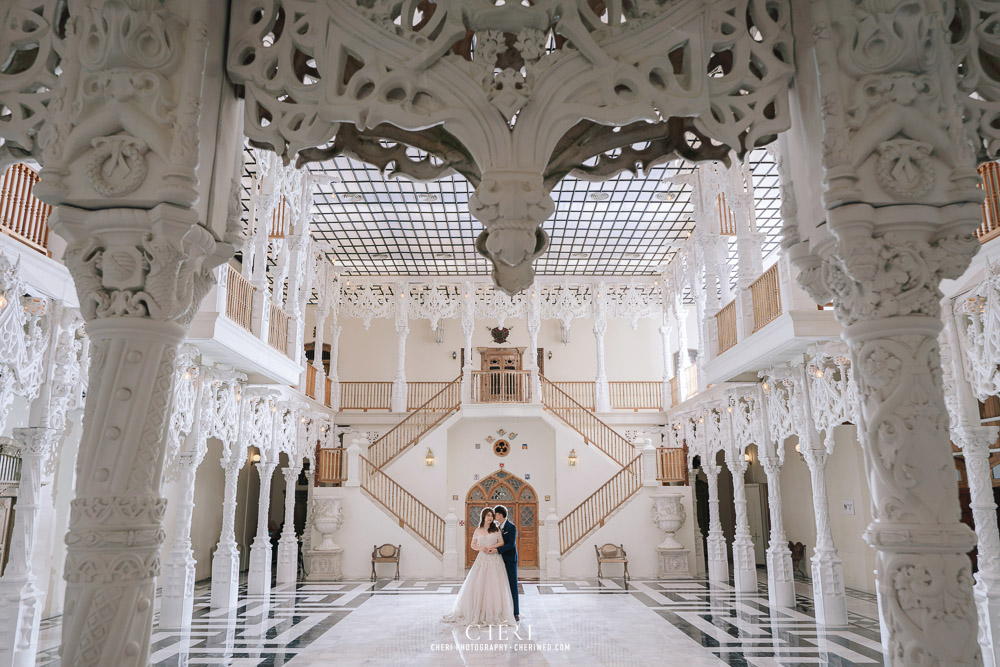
column 600, row 505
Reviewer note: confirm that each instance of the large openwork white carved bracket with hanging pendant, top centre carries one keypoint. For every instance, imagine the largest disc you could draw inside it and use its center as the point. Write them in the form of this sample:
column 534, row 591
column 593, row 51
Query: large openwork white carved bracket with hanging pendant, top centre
column 513, row 97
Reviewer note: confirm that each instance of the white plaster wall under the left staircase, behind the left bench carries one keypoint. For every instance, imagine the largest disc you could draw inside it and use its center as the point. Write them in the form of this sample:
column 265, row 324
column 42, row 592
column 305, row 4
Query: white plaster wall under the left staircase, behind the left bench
column 366, row 523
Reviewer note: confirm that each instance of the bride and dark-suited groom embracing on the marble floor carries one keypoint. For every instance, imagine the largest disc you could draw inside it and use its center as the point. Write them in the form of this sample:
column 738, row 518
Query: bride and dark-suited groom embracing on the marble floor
column 489, row 594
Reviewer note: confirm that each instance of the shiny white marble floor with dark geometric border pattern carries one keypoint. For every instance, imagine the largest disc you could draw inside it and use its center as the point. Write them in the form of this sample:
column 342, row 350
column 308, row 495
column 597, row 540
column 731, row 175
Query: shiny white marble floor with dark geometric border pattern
column 585, row 622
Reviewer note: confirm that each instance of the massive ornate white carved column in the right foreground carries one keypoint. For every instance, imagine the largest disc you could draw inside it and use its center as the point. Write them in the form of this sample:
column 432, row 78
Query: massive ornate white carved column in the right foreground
column 900, row 209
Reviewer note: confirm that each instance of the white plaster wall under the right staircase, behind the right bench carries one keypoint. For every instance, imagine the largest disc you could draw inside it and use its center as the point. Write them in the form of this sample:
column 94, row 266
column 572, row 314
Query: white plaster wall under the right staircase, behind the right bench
column 633, row 528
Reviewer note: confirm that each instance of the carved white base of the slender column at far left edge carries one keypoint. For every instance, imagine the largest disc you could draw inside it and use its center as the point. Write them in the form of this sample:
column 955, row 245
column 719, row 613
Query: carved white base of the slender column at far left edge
column 20, row 613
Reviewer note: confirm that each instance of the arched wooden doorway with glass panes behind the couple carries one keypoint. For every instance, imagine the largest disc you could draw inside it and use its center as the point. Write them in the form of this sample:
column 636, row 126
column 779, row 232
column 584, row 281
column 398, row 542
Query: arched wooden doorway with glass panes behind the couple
column 502, row 488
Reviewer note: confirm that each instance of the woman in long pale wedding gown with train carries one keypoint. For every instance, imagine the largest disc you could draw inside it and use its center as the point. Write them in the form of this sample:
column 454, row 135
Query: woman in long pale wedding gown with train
column 485, row 598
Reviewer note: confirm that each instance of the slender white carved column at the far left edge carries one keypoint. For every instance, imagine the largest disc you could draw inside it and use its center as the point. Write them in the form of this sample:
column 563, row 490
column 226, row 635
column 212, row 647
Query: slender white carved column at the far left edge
column 20, row 597
